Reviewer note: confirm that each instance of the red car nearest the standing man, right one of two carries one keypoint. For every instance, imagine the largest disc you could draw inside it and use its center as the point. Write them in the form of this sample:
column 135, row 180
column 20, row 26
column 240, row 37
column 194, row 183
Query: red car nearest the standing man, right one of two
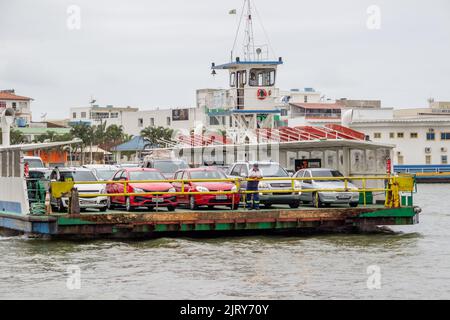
column 210, row 200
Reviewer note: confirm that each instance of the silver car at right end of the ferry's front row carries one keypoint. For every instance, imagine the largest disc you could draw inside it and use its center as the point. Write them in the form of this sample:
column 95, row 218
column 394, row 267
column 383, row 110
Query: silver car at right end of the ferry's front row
column 321, row 198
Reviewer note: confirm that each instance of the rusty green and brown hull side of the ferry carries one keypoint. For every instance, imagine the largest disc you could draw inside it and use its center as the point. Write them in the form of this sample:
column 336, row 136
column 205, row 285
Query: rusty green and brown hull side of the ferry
column 147, row 225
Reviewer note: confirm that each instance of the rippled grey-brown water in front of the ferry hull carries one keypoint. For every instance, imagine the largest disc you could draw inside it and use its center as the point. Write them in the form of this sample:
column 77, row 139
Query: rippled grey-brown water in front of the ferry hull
column 414, row 263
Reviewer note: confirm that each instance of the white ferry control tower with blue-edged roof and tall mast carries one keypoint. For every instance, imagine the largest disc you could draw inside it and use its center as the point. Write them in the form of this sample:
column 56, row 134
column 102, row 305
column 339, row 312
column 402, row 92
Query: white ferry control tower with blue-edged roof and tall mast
column 252, row 103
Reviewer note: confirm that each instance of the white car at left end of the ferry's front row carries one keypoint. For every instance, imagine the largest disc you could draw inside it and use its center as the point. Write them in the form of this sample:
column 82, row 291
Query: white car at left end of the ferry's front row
column 80, row 174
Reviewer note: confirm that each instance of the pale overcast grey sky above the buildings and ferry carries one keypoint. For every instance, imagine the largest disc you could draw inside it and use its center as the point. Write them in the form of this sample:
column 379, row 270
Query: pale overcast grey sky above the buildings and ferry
column 149, row 53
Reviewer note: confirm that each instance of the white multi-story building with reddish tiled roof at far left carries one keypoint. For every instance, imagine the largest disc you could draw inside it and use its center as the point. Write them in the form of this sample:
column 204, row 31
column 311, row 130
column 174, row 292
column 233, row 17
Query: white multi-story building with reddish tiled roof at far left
column 20, row 104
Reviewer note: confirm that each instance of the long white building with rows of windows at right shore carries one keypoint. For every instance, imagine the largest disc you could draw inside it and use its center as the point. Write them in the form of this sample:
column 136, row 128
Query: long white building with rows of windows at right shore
column 419, row 139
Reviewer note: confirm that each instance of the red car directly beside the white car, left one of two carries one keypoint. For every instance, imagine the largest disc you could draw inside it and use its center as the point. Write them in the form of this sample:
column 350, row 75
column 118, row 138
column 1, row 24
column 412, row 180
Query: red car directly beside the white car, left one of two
column 150, row 201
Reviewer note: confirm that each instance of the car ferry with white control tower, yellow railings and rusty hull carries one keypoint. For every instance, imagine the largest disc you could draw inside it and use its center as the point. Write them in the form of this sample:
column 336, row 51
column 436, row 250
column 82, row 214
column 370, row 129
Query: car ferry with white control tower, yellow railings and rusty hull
column 254, row 135
